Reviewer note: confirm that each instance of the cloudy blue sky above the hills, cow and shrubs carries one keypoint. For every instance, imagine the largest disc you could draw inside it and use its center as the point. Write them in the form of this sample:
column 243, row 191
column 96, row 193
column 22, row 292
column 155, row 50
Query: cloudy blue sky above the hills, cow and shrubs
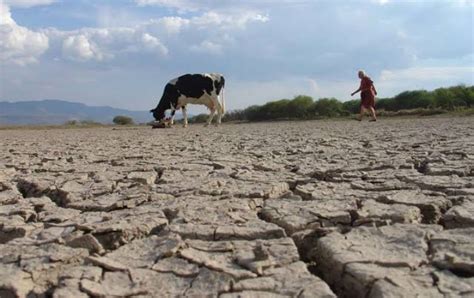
column 121, row 53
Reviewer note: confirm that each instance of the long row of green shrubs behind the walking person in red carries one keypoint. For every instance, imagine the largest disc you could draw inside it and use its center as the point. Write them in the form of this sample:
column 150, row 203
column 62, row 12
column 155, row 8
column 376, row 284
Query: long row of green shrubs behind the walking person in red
column 417, row 102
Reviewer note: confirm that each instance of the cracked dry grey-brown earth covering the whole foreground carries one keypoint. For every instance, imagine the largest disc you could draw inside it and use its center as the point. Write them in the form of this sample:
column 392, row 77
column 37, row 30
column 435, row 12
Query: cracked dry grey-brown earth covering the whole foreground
column 302, row 209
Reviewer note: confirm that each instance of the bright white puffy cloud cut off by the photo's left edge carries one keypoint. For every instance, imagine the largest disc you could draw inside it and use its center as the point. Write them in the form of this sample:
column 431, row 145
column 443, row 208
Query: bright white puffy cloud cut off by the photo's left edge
column 18, row 44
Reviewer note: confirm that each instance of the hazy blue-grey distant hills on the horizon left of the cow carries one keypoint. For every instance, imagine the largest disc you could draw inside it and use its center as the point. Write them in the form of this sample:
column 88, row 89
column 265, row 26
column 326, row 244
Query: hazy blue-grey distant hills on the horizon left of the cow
column 59, row 112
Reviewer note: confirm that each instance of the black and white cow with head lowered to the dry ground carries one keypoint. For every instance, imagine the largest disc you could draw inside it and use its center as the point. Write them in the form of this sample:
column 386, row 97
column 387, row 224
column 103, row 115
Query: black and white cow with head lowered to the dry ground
column 203, row 89
